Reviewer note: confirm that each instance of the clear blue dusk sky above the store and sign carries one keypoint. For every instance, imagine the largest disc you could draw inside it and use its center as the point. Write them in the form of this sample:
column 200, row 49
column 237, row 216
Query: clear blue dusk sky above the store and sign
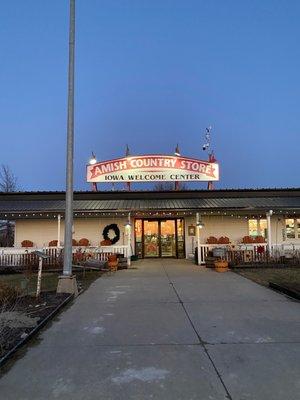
column 152, row 74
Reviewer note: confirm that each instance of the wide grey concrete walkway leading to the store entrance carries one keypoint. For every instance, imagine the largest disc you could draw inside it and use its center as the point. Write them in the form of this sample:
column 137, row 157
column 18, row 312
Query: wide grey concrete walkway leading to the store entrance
column 166, row 330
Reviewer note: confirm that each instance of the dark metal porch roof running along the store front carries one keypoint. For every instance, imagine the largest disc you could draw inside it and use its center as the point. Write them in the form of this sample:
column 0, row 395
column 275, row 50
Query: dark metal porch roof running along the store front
column 15, row 205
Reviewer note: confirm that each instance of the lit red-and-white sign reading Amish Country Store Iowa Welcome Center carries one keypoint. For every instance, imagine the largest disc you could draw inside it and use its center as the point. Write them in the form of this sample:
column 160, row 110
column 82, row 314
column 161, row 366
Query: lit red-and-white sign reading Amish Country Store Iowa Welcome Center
column 152, row 168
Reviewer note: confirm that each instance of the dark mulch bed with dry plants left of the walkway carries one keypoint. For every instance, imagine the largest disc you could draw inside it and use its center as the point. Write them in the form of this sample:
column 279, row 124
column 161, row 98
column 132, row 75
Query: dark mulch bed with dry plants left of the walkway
column 26, row 317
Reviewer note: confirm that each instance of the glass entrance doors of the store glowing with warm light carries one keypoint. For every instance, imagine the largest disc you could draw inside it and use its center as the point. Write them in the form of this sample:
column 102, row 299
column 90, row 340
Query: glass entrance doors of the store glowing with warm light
column 159, row 238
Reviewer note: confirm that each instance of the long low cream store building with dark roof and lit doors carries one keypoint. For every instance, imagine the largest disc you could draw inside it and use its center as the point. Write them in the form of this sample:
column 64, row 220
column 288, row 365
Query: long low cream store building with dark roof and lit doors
column 162, row 224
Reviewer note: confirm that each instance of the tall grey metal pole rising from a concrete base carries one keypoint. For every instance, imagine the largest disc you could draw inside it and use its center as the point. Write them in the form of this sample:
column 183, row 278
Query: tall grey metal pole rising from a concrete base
column 70, row 148
